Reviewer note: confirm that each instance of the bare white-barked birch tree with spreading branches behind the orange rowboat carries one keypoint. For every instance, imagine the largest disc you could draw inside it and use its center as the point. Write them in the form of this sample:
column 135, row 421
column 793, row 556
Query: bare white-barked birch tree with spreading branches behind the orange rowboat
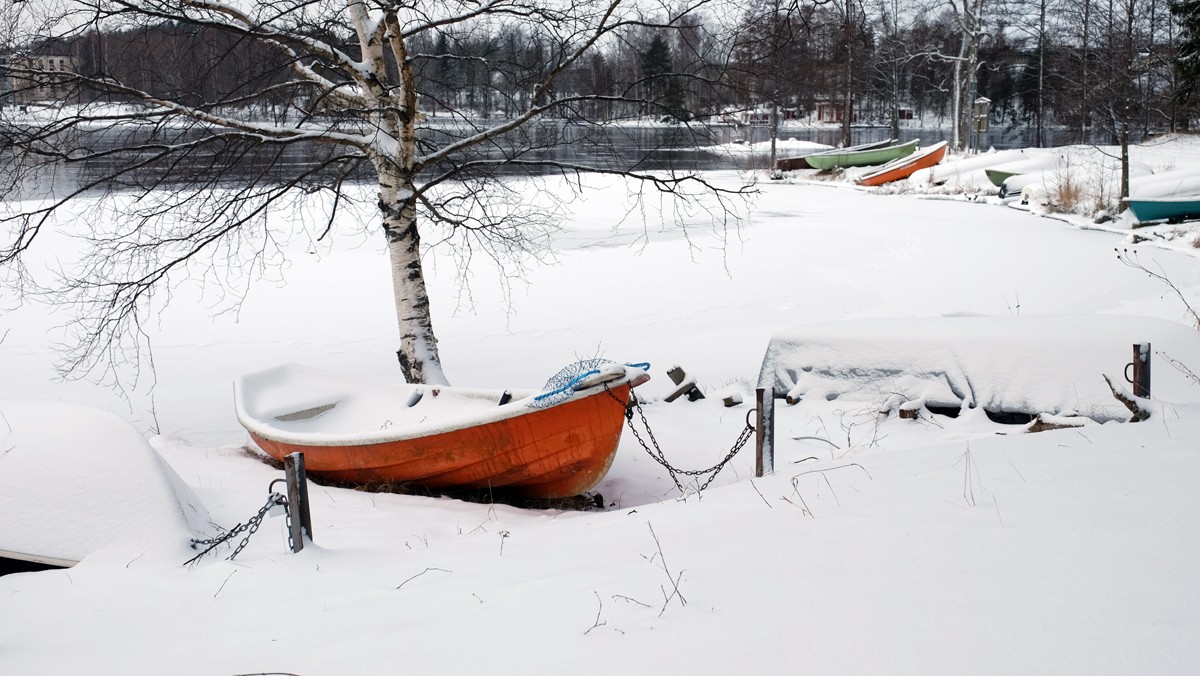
column 347, row 74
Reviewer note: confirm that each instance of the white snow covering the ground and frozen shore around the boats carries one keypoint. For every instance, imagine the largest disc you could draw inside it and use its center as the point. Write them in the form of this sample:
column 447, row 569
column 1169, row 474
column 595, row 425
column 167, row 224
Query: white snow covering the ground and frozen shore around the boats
column 880, row 546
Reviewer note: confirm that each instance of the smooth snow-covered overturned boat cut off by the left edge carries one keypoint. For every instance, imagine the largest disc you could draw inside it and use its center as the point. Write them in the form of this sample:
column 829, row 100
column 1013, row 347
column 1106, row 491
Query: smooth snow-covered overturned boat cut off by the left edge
column 77, row 480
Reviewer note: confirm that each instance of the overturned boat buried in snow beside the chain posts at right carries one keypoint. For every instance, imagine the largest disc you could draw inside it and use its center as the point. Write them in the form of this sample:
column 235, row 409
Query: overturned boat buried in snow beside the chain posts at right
column 1013, row 364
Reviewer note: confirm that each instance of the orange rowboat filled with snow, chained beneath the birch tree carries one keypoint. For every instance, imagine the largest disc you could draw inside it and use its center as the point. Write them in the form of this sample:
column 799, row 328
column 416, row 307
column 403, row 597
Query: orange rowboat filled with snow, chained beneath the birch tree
column 557, row 442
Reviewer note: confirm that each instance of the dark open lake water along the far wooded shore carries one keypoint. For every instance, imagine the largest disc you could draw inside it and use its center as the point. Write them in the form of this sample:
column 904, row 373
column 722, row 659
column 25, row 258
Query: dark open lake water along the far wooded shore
column 544, row 147
